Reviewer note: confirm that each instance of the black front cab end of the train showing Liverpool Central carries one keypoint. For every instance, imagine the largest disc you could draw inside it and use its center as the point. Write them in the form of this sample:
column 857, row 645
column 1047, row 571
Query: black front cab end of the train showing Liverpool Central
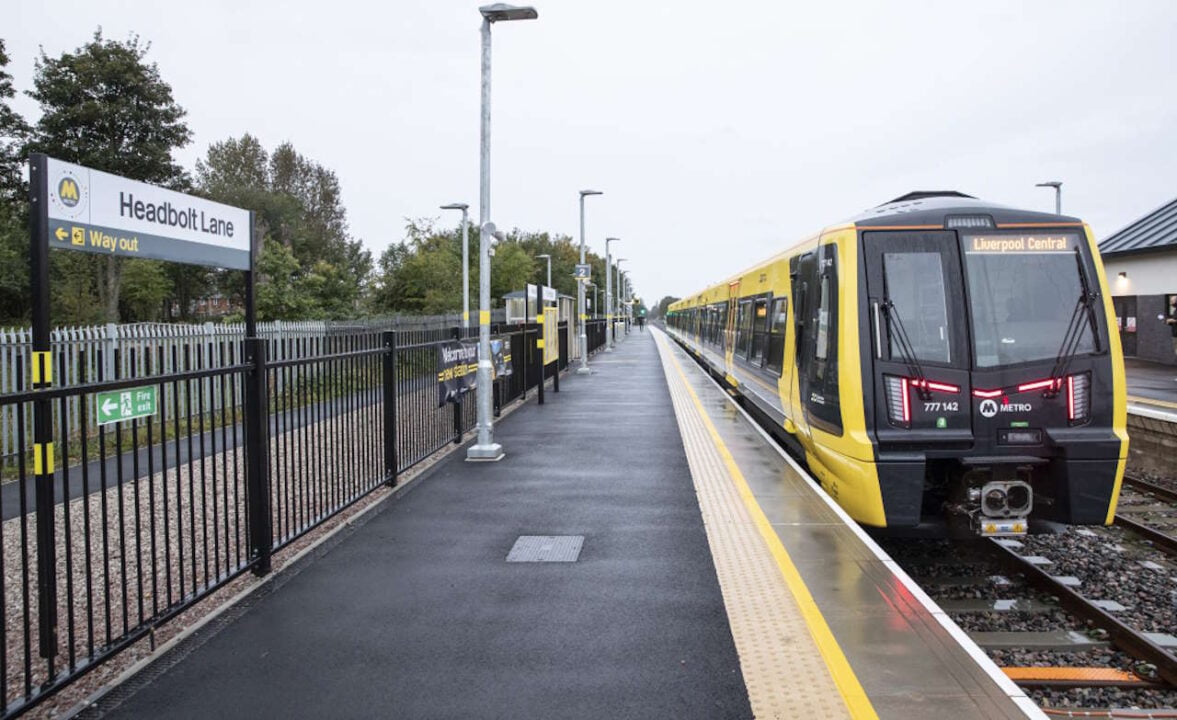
column 999, row 391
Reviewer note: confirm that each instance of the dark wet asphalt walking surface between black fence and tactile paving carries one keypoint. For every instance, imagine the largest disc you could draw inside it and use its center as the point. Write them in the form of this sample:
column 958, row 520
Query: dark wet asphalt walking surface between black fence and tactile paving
column 418, row 615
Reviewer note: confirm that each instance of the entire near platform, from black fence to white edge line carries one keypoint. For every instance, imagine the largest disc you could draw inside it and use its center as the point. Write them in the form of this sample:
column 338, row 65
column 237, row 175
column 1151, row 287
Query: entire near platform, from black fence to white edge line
column 713, row 581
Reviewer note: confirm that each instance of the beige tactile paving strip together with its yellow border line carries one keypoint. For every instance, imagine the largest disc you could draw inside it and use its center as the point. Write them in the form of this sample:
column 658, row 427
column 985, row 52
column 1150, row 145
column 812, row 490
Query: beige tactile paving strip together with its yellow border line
column 792, row 663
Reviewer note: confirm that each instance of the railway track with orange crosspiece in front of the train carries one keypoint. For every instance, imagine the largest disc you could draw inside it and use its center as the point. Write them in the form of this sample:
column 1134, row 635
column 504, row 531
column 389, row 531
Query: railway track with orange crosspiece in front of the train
column 1073, row 656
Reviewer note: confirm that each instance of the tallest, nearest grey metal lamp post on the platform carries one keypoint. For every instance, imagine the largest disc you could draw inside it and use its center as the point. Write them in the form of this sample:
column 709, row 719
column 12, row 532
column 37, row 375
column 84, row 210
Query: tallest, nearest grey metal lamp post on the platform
column 486, row 449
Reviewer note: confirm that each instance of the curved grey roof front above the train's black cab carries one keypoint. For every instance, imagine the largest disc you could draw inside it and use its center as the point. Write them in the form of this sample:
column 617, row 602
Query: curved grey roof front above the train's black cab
column 933, row 208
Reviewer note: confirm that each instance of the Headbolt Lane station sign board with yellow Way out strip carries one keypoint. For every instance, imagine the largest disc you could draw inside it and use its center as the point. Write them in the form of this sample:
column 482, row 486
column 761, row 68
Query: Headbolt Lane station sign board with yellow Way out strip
column 97, row 212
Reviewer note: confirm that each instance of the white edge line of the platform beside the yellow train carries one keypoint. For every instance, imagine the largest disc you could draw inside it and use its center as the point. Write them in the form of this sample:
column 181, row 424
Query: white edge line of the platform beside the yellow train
column 988, row 666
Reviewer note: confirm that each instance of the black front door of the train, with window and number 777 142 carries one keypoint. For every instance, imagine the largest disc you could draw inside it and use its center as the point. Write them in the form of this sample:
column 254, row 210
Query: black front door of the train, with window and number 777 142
column 919, row 338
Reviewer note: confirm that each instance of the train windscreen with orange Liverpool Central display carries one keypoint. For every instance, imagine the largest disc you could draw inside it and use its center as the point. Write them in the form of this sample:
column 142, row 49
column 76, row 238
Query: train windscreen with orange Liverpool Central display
column 1023, row 291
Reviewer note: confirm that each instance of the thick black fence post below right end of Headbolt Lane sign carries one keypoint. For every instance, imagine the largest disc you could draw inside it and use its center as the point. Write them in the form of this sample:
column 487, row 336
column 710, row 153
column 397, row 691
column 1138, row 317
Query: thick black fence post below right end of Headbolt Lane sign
column 257, row 454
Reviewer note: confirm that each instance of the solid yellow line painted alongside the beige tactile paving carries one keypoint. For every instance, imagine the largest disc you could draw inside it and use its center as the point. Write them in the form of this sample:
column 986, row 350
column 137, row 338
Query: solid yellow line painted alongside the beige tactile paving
column 844, row 678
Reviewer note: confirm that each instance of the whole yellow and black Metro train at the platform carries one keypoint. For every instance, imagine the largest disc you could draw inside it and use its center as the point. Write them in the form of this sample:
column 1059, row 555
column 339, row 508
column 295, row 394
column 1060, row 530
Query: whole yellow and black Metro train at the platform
column 940, row 363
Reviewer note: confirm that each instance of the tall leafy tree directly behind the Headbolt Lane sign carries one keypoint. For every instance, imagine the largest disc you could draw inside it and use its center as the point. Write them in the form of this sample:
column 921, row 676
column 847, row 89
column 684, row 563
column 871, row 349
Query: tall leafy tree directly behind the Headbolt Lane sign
column 107, row 108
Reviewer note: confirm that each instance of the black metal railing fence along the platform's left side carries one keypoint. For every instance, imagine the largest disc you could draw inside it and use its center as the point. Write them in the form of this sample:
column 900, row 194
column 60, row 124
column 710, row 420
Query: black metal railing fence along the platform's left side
column 132, row 523
